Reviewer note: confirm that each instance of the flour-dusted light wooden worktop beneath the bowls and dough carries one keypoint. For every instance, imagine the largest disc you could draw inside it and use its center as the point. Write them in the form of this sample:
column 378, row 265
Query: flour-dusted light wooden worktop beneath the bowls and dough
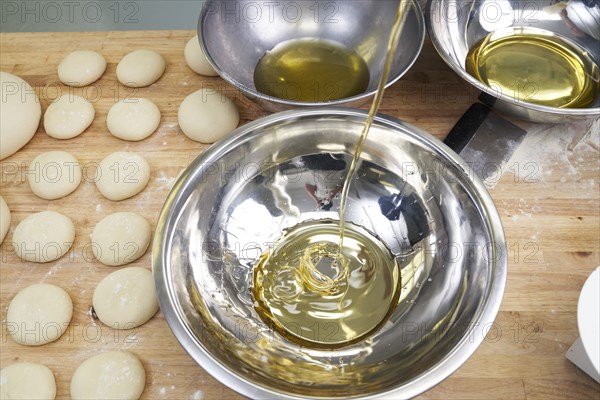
column 547, row 195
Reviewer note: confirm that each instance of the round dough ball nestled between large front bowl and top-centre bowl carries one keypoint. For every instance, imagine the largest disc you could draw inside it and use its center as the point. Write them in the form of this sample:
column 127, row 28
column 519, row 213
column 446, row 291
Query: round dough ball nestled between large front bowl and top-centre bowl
column 207, row 115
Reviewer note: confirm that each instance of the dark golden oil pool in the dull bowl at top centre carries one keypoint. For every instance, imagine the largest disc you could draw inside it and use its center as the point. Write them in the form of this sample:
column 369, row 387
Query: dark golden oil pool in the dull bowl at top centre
column 311, row 70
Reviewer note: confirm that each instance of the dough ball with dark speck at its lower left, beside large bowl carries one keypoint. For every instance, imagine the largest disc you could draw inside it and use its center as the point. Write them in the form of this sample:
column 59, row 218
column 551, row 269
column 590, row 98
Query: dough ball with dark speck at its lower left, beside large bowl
column 126, row 298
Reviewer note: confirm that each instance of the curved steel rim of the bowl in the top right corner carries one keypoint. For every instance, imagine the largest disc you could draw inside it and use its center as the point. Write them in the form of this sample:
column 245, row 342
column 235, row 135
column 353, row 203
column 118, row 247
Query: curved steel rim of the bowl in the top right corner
column 484, row 88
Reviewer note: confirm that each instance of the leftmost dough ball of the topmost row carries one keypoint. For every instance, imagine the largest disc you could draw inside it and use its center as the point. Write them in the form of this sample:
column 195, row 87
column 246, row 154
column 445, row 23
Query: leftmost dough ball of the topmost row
column 80, row 68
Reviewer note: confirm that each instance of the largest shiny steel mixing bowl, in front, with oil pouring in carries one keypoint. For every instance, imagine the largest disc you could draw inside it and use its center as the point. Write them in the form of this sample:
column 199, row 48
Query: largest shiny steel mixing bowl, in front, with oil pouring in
column 411, row 191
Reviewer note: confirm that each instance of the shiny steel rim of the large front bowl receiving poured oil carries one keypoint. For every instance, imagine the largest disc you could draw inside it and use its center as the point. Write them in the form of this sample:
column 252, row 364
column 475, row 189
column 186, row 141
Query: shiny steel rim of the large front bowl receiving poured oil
column 473, row 336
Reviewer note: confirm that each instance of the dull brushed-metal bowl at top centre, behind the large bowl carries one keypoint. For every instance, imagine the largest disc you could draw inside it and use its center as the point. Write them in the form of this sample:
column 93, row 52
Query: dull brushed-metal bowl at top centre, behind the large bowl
column 236, row 34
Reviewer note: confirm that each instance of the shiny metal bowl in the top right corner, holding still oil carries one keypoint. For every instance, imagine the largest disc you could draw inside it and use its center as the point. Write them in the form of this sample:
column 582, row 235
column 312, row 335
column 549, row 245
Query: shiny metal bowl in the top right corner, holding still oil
column 456, row 25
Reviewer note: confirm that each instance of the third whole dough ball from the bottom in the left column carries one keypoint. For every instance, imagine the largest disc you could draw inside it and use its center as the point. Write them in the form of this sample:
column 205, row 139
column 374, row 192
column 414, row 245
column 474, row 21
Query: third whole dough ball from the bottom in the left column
column 43, row 237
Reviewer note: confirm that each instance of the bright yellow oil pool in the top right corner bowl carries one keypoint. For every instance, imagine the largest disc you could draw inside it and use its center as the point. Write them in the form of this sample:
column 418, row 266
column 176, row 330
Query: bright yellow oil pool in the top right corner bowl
column 536, row 67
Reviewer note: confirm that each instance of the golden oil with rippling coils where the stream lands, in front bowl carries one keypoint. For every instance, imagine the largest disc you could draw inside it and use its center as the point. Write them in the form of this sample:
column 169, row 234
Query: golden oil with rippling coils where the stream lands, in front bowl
column 320, row 297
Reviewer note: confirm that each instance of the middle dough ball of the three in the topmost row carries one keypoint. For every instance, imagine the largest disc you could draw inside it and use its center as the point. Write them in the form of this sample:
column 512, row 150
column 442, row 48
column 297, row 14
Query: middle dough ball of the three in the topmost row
column 140, row 68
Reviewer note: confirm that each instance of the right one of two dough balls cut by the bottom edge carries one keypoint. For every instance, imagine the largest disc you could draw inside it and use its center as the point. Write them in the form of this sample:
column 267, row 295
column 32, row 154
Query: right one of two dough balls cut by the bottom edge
column 109, row 375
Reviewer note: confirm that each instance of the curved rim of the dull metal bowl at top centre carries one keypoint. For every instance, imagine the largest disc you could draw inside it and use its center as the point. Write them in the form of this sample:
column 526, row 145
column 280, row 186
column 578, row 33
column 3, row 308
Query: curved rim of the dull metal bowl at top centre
column 256, row 94
